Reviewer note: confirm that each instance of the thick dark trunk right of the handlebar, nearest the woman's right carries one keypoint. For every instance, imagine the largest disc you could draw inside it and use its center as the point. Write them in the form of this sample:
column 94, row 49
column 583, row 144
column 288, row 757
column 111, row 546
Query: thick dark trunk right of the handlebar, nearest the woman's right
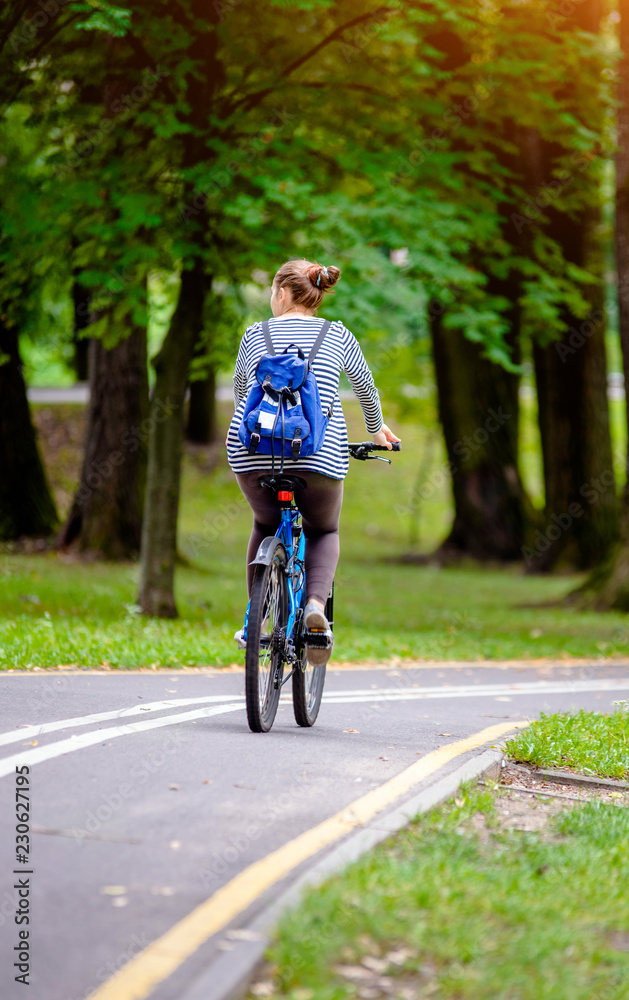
column 479, row 413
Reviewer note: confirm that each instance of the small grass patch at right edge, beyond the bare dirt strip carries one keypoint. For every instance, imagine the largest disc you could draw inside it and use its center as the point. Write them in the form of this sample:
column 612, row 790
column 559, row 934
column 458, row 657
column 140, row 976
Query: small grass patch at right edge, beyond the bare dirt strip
column 588, row 742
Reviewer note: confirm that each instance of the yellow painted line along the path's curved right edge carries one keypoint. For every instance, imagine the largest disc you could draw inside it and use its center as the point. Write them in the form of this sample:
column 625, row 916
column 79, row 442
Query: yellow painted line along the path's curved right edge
column 142, row 974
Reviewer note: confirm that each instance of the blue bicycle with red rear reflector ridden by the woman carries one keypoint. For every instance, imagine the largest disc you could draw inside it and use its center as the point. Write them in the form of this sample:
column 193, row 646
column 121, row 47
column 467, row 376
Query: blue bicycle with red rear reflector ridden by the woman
column 273, row 634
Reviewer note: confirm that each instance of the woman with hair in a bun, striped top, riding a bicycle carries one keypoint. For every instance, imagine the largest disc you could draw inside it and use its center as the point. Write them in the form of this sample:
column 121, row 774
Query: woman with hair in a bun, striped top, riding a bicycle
column 297, row 292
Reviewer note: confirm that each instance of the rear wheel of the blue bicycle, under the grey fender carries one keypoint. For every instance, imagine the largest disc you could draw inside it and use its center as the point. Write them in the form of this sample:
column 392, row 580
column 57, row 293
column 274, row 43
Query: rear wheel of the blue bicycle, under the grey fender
column 264, row 657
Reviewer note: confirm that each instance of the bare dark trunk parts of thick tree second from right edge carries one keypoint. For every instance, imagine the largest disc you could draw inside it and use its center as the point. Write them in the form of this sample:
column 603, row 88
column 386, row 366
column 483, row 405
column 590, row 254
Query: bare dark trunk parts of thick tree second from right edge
column 581, row 508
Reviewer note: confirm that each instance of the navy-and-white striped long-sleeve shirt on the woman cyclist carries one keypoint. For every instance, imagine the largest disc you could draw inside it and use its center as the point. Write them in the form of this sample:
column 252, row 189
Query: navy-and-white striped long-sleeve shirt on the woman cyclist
column 339, row 352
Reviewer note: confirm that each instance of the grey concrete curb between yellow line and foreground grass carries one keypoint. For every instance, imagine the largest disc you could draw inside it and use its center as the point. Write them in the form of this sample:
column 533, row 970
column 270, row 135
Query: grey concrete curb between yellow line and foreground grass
column 229, row 976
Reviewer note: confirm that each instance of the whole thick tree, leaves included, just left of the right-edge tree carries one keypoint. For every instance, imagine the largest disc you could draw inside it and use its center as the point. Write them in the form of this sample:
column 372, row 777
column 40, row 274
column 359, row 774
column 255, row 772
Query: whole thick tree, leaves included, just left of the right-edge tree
column 563, row 186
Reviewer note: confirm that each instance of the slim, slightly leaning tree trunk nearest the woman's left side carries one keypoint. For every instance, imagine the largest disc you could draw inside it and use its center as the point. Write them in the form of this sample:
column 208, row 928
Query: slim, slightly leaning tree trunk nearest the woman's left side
column 159, row 532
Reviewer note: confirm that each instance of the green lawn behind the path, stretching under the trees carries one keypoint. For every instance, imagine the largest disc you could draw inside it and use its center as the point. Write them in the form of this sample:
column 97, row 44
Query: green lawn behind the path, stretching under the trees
column 55, row 610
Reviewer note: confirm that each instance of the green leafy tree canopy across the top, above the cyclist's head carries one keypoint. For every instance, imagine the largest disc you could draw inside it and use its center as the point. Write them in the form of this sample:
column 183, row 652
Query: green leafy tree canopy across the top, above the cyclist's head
column 180, row 136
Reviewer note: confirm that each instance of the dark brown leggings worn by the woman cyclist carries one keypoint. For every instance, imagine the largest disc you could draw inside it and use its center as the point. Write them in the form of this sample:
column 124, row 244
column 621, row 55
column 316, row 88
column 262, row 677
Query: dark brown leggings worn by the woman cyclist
column 320, row 505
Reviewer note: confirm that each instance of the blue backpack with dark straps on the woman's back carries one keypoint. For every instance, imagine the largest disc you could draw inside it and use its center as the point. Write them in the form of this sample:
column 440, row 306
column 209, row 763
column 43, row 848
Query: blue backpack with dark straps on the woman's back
column 283, row 413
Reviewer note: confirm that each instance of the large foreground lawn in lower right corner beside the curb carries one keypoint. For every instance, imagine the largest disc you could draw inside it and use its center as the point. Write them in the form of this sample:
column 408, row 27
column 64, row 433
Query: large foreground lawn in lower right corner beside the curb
column 447, row 915
